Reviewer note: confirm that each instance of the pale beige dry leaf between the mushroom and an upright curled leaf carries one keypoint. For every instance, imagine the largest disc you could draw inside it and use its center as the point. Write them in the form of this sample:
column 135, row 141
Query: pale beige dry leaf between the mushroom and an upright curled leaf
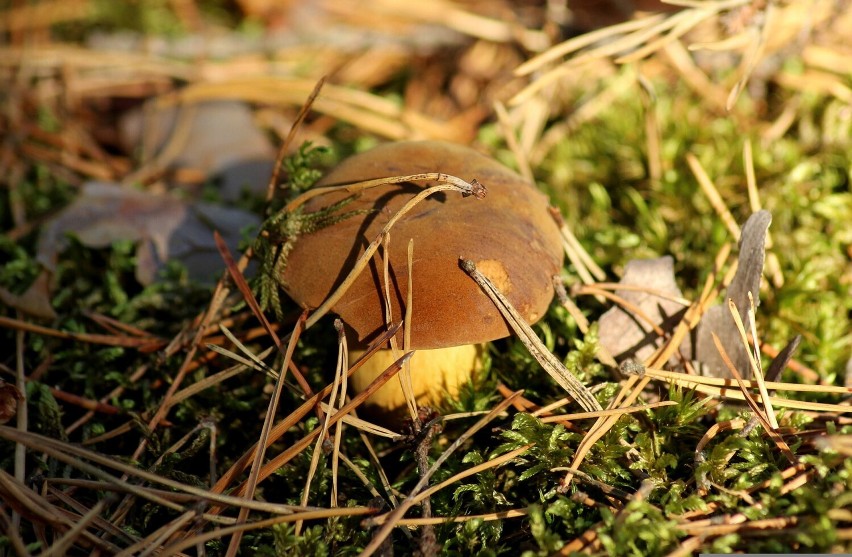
column 622, row 332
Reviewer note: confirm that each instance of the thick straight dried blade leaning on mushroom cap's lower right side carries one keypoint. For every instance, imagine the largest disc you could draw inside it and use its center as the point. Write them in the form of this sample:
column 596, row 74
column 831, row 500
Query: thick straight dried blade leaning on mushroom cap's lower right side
column 548, row 361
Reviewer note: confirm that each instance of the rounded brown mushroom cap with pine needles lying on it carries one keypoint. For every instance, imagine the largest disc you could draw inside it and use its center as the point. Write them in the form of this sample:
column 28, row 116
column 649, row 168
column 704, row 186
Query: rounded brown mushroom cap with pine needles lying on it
column 509, row 234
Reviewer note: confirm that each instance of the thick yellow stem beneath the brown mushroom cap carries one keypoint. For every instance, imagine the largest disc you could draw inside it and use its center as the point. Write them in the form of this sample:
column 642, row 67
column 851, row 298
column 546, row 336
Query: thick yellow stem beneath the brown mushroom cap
column 435, row 375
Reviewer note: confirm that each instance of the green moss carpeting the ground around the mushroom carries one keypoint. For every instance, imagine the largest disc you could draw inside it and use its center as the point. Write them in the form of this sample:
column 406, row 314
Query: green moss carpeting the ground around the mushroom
column 644, row 488
